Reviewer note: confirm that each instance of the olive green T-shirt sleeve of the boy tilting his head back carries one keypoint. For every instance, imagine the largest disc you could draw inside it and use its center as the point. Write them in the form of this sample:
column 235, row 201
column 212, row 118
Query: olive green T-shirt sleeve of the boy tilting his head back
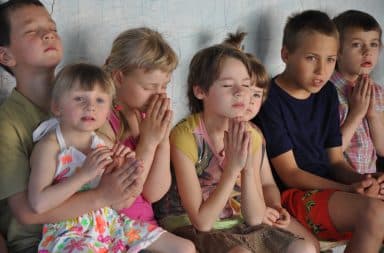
column 14, row 161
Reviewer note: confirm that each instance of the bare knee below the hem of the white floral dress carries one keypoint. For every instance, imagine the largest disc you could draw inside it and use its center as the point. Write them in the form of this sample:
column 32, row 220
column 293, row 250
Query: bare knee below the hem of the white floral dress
column 171, row 243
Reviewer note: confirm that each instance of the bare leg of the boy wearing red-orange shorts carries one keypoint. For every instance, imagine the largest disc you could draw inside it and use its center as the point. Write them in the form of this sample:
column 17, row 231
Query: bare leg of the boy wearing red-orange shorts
column 361, row 215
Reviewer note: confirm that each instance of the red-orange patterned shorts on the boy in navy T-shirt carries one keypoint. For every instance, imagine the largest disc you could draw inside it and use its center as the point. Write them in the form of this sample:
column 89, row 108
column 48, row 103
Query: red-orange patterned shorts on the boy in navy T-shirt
column 310, row 208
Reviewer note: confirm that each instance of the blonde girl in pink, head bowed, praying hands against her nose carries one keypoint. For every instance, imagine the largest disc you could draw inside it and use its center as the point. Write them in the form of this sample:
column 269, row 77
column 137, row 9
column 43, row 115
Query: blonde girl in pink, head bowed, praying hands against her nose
column 141, row 63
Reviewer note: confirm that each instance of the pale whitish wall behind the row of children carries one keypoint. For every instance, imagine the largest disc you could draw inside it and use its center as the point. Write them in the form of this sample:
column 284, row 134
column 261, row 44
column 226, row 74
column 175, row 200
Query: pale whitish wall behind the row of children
column 88, row 27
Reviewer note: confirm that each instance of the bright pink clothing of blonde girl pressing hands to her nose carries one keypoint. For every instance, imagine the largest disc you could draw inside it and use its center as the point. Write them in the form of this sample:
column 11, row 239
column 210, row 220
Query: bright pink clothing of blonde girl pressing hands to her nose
column 141, row 209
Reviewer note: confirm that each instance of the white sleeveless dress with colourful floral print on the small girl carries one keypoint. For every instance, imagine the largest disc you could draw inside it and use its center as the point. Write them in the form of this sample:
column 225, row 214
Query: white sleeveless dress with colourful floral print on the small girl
column 102, row 230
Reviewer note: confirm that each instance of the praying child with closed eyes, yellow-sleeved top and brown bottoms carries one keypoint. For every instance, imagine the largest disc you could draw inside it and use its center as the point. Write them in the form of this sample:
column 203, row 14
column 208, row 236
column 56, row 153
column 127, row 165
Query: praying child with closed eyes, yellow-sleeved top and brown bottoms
column 209, row 150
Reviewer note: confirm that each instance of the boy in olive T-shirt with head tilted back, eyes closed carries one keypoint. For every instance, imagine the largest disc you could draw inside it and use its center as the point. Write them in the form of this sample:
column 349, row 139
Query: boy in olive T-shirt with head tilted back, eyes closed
column 30, row 49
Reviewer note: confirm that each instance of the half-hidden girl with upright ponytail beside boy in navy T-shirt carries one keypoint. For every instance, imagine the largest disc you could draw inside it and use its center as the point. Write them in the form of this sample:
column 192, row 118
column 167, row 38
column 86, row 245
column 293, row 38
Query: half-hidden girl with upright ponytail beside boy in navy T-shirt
column 276, row 215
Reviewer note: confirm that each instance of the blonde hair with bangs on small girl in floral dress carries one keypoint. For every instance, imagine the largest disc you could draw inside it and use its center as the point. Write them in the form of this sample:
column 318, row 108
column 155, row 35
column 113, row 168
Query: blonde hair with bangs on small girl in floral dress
column 82, row 75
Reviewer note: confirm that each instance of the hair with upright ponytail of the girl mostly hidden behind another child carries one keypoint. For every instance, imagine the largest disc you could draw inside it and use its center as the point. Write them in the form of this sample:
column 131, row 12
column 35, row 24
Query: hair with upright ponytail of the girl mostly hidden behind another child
column 259, row 72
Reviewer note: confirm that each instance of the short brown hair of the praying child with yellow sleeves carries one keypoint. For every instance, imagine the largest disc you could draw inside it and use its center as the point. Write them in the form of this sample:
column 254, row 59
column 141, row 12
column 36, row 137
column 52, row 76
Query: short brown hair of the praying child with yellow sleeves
column 205, row 68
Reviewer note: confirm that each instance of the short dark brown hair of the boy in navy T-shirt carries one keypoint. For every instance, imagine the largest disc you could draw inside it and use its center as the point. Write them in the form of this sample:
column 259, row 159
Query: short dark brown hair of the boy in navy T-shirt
column 307, row 21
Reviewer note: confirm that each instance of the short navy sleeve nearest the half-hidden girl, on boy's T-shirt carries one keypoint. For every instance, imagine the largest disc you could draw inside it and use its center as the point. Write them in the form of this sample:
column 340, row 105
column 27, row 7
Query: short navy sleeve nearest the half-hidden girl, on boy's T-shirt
column 271, row 122
